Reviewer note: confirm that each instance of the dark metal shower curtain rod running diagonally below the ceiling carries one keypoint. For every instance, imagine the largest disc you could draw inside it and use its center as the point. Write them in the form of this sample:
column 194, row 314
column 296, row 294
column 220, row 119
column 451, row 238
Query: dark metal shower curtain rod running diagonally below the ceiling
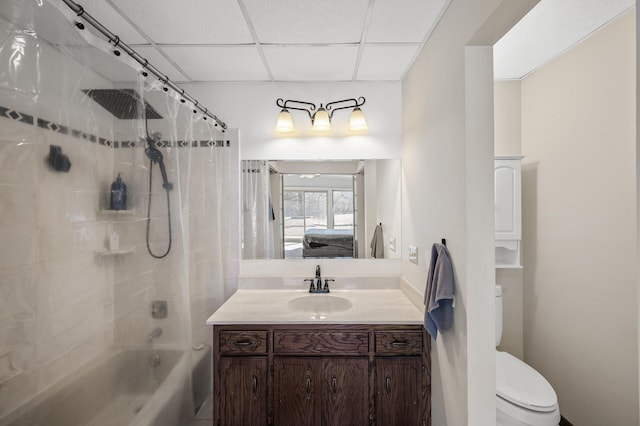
column 79, row 11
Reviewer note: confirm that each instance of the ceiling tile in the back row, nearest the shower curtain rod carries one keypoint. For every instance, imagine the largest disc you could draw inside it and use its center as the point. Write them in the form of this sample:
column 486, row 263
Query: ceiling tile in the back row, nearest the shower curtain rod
column 219, row 63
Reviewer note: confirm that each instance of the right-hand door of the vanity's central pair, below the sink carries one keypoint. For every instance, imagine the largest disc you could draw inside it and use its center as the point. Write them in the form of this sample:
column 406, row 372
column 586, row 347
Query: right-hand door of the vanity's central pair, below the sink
column 345, row 392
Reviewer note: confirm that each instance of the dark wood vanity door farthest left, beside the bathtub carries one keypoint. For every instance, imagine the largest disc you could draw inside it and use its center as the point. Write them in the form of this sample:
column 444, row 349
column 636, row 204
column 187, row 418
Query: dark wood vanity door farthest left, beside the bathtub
column 243, row 391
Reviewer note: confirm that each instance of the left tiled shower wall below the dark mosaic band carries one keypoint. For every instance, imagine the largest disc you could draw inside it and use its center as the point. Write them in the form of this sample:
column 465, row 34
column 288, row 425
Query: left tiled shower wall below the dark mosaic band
column 56, row 297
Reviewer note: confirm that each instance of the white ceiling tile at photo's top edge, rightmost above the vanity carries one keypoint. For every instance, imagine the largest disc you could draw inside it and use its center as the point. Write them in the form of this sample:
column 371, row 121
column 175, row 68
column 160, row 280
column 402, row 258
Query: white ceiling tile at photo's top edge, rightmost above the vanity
column 403, row 21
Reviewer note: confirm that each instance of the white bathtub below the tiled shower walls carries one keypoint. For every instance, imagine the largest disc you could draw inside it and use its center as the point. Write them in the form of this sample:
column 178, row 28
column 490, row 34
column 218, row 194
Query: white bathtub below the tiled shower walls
column 130, row 387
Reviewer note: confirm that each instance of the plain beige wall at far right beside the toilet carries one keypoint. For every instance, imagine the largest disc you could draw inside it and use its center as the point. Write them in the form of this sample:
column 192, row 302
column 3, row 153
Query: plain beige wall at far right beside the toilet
column 579, row 171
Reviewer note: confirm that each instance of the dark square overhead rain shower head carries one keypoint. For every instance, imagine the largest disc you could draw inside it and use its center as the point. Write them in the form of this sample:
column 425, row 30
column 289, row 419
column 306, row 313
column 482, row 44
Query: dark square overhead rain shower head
column 124, row 104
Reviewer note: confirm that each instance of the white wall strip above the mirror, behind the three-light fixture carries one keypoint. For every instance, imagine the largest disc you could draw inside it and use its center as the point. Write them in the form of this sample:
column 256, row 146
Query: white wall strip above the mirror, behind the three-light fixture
column 251, row 107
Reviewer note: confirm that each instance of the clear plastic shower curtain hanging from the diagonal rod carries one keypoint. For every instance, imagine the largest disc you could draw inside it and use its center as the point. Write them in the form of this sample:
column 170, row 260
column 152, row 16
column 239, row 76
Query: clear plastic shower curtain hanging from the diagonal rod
column 68, row 299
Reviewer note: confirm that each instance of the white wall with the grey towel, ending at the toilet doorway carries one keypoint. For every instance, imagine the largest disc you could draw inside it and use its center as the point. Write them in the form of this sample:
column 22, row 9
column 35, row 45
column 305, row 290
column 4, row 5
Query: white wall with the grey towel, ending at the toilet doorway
column 448, row 192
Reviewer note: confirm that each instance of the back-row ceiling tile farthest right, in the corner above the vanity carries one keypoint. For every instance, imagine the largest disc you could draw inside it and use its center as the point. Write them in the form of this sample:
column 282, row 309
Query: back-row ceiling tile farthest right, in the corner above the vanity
column 386, row 62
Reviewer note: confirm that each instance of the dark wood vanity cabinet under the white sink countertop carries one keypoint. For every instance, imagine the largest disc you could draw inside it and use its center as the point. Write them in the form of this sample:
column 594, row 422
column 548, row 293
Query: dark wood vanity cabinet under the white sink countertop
column 327, row 375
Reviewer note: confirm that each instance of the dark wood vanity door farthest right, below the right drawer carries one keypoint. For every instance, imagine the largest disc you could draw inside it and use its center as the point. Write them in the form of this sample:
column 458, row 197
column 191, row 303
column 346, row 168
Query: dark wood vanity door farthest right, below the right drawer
column 401, row 391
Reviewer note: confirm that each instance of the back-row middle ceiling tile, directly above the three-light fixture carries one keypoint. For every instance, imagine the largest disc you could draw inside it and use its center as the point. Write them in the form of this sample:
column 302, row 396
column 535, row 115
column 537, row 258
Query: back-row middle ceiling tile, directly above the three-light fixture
column 312, row 63
